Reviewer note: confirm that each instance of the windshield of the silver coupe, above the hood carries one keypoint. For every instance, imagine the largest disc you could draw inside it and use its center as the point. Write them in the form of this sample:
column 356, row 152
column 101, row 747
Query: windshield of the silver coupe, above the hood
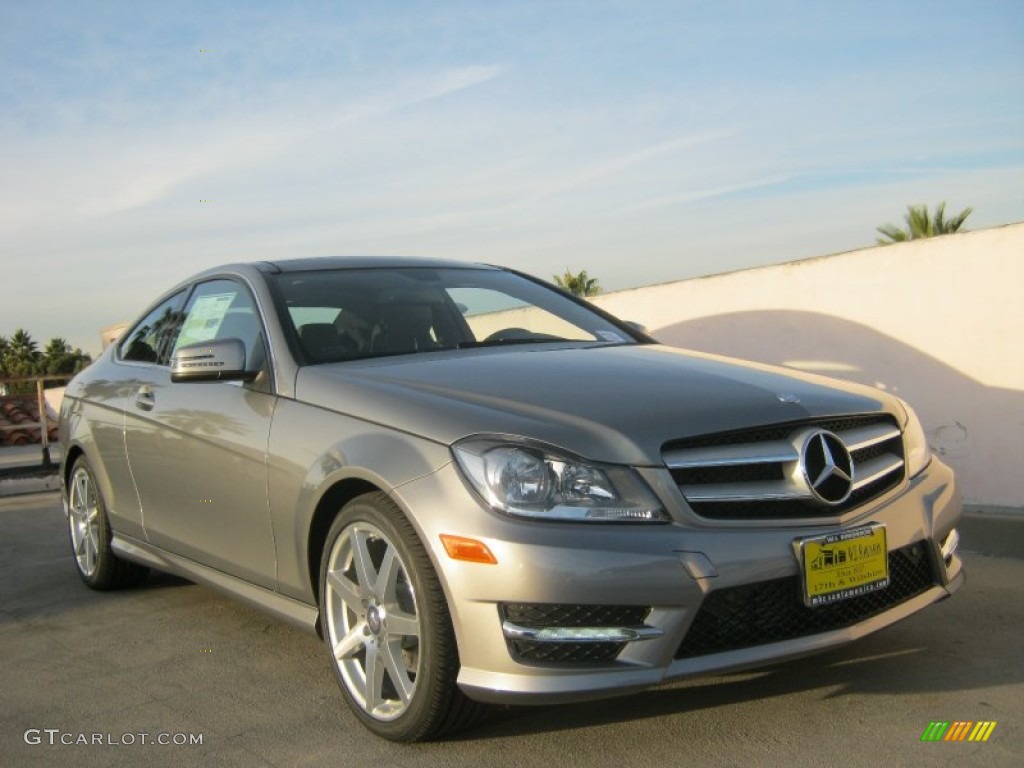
column 344, row 315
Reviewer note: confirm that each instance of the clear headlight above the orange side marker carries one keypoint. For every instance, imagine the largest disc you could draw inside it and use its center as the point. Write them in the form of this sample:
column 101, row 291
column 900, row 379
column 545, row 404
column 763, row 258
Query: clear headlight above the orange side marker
column 530, row 481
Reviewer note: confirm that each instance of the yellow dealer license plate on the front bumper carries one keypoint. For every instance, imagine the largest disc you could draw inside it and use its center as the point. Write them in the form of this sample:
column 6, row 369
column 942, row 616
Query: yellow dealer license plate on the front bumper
column 846, row 565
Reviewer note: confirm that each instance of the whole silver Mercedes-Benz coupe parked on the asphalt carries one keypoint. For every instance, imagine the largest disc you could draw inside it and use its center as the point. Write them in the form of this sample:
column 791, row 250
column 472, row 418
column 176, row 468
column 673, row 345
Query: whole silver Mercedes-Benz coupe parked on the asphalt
column 479, row 489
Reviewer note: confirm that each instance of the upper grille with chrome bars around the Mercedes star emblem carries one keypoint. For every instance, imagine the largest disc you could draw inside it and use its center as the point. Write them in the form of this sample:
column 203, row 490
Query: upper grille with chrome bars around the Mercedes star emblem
column 755, row 475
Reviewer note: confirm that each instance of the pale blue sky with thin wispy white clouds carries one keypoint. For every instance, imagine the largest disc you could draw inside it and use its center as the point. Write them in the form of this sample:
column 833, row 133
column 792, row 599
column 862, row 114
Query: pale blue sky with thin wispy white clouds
column 643, row 142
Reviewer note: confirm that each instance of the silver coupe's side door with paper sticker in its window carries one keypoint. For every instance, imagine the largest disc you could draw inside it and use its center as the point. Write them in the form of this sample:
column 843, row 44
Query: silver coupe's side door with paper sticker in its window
column 198, row 450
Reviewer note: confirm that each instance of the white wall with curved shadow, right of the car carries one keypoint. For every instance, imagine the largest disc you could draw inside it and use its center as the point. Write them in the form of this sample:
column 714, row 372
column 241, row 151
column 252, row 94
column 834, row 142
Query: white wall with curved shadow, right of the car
column 937, row 322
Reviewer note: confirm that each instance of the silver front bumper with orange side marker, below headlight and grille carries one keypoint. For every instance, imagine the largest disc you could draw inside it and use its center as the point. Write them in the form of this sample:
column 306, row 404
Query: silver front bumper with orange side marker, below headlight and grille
column 671, row 569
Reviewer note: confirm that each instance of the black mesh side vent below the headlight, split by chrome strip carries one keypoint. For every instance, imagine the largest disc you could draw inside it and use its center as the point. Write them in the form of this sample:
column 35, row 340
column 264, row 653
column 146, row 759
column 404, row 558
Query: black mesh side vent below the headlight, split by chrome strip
column 537, row 616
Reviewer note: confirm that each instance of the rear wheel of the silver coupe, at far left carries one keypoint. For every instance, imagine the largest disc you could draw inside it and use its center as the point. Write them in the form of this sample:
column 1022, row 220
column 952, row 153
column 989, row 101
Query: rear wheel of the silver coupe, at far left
column 90, row 531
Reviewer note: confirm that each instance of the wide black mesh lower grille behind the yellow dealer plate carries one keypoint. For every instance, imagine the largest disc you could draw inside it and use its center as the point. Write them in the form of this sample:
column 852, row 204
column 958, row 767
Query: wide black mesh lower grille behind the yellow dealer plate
column 772, row 612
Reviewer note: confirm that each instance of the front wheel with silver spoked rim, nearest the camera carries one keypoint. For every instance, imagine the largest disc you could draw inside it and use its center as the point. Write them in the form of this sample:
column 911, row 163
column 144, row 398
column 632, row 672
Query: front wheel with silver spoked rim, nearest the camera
column 387, row 621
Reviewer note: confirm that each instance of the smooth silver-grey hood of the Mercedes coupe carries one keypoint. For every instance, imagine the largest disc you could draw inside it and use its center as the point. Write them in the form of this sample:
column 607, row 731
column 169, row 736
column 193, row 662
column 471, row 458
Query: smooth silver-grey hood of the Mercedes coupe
column 611, row 404
